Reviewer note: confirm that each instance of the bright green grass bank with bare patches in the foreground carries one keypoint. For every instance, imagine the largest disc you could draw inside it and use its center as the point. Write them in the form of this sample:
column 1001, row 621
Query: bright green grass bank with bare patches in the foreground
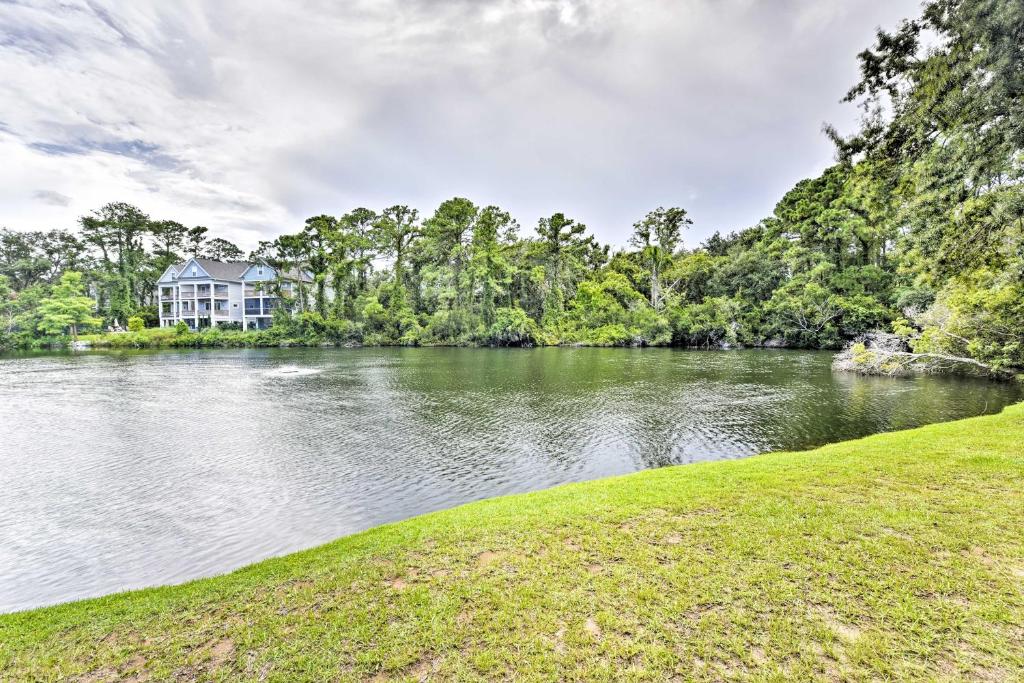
column 900, row 557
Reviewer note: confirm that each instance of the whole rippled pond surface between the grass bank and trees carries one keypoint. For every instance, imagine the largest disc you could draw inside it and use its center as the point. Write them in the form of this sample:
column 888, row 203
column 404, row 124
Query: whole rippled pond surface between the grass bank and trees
column 126, row 471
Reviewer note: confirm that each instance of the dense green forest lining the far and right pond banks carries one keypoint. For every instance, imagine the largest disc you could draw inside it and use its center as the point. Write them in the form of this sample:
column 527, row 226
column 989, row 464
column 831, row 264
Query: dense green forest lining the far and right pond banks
column 918, row 231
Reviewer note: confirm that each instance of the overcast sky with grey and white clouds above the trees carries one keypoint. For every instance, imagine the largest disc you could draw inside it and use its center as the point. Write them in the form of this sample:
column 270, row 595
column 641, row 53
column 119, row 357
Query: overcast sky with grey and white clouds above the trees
column 249, row 117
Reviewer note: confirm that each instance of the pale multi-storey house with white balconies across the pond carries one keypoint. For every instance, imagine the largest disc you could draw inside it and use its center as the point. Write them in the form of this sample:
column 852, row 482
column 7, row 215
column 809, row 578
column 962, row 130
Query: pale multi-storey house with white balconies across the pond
column 205, row 293
